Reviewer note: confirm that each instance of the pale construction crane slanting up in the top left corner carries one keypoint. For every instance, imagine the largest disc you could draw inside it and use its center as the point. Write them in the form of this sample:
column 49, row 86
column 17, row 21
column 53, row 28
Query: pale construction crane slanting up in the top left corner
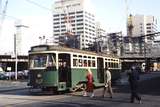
column 3, row 14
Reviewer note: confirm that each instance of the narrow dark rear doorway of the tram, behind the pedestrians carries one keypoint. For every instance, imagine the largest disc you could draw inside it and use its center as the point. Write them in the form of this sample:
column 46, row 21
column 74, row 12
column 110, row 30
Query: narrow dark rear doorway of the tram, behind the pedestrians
column 100, row 70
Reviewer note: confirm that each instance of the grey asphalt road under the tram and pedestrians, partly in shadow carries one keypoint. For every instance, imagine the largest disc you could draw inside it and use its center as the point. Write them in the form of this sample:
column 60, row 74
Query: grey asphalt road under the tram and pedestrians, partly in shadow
column 149, row 90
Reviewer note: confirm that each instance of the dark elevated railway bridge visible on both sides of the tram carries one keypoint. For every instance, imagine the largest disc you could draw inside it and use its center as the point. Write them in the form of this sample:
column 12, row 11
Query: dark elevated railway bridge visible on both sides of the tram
column 151, row 61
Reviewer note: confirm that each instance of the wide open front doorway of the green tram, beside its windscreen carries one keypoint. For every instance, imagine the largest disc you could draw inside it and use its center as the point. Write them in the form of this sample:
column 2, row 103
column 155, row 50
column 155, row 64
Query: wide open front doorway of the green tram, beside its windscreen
column 64, row 68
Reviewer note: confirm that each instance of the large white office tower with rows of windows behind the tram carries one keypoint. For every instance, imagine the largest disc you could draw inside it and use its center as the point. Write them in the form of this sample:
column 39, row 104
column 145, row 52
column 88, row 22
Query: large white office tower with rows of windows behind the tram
column 80, row 20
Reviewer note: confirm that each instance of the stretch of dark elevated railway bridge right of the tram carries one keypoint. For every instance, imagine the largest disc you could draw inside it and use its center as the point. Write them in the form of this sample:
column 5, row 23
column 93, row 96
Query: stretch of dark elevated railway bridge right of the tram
column 149, row 62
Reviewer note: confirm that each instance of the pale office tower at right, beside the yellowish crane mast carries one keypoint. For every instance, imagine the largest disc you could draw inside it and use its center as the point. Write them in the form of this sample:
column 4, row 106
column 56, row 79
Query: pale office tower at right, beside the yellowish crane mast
column 143, row 25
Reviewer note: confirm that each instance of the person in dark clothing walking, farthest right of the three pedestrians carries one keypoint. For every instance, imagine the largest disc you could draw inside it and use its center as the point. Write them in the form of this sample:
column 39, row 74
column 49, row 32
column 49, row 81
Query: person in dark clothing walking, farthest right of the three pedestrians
column 133, row 77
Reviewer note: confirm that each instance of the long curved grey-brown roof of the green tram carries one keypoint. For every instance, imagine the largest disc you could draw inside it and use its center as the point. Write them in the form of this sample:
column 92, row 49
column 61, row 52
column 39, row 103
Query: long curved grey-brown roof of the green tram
column 66, row 49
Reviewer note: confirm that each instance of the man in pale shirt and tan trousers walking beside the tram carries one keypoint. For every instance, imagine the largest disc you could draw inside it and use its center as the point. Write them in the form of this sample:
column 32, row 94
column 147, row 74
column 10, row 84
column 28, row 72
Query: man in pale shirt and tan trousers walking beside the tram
column 107, row 80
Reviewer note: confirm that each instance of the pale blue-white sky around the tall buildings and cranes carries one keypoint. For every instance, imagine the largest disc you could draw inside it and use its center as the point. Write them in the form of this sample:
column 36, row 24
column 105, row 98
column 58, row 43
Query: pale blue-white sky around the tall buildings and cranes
column 111, row 14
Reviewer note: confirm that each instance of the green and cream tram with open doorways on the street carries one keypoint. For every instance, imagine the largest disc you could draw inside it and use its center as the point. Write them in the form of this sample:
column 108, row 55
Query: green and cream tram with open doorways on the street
column 59, row 68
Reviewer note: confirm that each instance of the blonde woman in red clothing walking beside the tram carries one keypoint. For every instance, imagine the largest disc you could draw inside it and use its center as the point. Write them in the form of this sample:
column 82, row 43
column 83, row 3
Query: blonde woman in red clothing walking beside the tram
column 89, row 85
